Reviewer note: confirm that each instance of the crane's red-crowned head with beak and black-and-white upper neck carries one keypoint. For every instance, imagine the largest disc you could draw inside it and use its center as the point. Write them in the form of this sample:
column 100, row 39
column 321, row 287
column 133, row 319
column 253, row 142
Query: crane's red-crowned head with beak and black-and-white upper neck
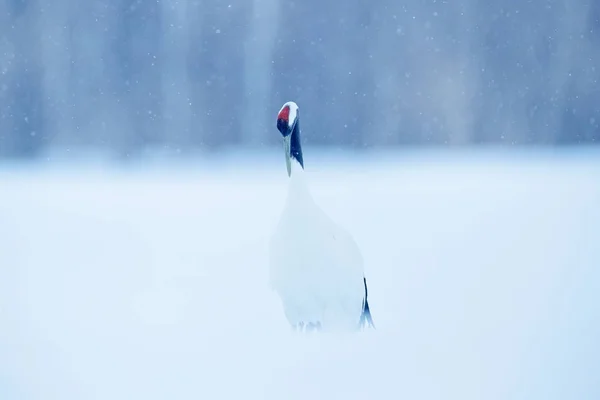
column 288, row 124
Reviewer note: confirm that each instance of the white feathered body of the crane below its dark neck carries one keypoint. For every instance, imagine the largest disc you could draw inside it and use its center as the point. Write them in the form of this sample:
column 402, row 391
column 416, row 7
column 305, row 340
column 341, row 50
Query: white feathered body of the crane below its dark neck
column 315, row 265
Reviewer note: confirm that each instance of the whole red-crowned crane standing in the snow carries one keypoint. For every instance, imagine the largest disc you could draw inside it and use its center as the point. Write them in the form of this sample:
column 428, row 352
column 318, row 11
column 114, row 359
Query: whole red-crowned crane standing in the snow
column 315, row 265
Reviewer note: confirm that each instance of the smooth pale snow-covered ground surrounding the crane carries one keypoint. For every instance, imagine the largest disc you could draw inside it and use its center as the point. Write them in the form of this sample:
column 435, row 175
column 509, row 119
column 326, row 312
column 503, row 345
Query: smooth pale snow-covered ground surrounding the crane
column 150, row 282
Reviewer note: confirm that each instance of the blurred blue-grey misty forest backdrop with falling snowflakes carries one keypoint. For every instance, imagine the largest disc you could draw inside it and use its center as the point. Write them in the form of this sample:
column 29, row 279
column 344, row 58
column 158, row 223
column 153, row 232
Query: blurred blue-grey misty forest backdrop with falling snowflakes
column 124, row 76
